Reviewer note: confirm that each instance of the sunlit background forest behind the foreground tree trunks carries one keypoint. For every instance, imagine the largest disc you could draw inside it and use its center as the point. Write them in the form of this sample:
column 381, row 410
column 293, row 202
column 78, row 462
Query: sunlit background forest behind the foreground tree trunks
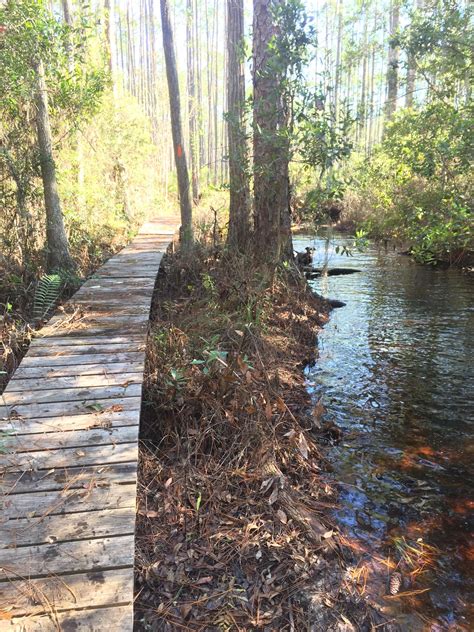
column 375, row 103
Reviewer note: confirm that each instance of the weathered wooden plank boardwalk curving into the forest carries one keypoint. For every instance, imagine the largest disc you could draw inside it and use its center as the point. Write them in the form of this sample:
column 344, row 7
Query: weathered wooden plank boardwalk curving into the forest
column 68, row 477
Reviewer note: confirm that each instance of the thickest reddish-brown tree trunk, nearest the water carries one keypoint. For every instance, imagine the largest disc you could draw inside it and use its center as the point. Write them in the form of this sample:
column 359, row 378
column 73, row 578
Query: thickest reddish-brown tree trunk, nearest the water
column 270, row 144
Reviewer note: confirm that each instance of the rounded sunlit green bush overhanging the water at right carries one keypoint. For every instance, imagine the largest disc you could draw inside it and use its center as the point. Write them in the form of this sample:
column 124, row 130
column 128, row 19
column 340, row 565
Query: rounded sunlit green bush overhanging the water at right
column 419, row 198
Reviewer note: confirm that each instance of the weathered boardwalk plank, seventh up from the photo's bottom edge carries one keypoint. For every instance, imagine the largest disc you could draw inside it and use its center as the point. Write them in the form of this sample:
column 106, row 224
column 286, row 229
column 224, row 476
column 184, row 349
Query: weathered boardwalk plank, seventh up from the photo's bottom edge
column 90, row 455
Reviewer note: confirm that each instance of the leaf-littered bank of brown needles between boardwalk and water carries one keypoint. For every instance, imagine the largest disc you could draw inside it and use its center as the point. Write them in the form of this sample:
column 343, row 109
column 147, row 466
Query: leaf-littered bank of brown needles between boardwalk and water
column 234, row 529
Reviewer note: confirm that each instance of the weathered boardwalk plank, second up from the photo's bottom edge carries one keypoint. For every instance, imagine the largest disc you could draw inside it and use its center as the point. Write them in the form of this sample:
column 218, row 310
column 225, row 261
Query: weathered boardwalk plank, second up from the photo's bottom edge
column 88, row 590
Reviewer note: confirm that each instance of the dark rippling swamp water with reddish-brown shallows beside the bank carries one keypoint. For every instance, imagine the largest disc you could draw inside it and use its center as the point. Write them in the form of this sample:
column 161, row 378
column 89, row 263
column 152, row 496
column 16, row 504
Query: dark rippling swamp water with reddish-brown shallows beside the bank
column 395, row 373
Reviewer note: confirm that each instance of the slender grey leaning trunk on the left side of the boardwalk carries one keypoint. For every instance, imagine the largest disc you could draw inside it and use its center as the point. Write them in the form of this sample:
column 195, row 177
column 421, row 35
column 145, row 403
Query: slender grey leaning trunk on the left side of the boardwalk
column 58, row 247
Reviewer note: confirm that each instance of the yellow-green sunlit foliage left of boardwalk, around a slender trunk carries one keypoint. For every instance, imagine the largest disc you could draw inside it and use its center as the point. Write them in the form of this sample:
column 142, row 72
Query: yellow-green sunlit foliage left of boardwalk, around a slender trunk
column 105, row 157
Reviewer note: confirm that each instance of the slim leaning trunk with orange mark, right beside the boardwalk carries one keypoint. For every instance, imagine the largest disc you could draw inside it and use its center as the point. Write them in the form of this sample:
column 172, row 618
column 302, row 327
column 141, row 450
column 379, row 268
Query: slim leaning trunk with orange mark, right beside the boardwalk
column 176, row 127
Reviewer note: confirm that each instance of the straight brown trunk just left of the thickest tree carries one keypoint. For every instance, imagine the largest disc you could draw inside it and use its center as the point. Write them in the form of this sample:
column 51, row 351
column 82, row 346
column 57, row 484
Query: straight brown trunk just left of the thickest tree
column 239, row 209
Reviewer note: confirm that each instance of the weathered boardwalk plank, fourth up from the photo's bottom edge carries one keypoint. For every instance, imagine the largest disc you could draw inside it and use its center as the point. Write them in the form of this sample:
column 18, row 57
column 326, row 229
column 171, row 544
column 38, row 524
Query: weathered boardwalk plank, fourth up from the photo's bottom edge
column 82, row 525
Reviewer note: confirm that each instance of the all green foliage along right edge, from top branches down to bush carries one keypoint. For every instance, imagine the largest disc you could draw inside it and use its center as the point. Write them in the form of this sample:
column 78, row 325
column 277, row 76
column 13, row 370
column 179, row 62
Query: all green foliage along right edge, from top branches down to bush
column 418, row 186
